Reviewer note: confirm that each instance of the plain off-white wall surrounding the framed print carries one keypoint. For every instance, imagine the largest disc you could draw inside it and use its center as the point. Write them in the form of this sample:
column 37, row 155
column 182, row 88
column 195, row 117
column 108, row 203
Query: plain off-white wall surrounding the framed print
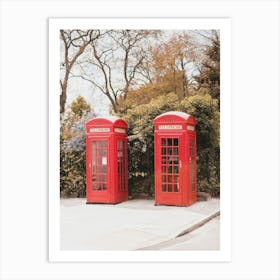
column 255, row 139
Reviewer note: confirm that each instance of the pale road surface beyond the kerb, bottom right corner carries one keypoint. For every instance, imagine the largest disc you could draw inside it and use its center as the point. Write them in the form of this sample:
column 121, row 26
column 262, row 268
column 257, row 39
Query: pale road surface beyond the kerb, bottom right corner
column 206, row 237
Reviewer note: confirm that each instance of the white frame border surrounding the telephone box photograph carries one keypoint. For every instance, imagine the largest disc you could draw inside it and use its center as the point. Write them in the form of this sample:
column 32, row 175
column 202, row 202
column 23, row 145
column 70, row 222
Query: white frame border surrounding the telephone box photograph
column 55, row 254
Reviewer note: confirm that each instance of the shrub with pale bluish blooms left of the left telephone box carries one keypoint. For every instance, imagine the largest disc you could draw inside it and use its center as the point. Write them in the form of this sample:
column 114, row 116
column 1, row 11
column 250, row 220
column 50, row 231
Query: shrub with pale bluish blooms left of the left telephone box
column 73, row 148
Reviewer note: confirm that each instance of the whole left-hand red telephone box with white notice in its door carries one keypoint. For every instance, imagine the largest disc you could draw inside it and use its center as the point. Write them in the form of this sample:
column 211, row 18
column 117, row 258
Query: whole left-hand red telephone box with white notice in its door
column 106, row 160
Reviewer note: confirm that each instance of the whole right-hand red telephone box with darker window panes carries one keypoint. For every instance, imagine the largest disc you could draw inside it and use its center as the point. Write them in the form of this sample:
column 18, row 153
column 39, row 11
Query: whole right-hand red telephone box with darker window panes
column 175, row 159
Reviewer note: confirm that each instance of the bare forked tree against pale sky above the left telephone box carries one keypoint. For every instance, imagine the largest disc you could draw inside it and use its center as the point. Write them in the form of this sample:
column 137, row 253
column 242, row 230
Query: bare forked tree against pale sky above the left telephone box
column 114, row 63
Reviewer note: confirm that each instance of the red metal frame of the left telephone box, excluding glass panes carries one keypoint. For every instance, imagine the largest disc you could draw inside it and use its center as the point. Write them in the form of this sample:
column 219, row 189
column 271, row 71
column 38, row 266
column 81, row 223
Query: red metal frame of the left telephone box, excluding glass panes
column 111, row 130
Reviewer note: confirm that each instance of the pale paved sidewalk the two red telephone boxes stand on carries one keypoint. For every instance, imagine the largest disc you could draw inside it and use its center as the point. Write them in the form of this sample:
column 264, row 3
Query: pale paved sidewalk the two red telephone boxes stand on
column 130, row 225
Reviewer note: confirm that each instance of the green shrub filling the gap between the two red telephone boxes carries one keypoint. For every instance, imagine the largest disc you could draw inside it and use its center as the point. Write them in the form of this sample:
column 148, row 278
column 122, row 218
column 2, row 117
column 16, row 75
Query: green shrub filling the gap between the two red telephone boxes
column 141, row 142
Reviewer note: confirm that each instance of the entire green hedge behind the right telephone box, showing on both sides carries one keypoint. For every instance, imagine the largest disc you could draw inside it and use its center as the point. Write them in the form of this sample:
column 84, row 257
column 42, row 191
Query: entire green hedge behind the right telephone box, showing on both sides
column 141, row 141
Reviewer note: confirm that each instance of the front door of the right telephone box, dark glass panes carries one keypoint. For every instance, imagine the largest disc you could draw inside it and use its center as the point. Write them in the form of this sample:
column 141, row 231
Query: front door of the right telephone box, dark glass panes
column 170, row 177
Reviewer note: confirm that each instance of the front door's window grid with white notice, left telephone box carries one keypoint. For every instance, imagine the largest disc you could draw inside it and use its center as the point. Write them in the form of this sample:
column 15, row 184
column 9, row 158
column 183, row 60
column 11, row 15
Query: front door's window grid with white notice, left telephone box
column 99, row 165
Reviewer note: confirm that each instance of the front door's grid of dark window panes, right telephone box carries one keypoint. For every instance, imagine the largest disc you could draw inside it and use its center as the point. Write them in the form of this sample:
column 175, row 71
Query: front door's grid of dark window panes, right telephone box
column 170, row 164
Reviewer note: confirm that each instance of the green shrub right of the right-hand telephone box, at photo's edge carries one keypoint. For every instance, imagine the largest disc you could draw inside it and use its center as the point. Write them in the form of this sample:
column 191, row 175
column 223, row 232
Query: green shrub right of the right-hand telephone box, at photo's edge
column 206, row 112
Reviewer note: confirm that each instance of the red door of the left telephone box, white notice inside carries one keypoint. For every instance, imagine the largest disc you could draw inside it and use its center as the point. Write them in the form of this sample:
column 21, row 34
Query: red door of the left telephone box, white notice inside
column 98, row 169
